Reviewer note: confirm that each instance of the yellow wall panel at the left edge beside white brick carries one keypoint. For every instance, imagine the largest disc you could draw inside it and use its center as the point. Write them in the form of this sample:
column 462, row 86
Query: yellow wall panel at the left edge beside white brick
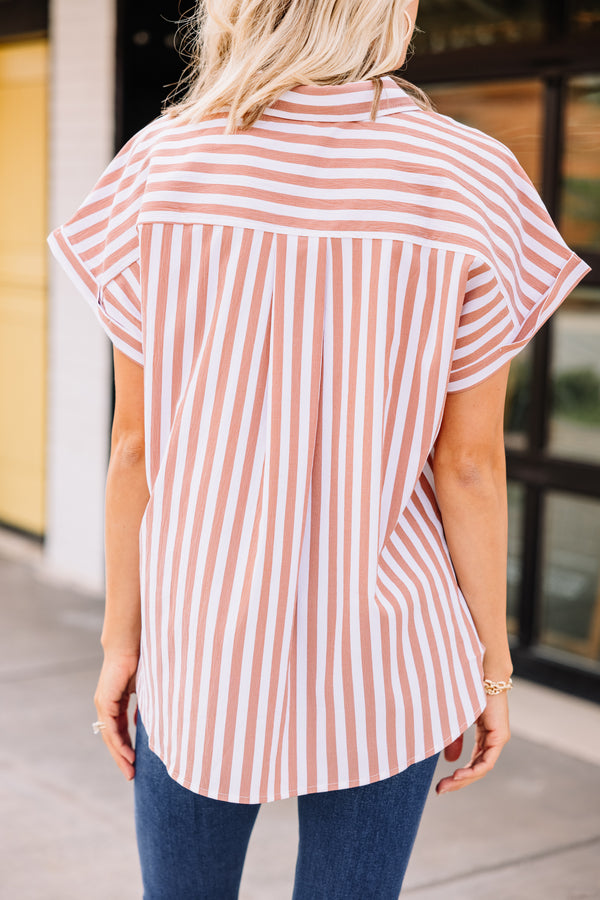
column 23, row 160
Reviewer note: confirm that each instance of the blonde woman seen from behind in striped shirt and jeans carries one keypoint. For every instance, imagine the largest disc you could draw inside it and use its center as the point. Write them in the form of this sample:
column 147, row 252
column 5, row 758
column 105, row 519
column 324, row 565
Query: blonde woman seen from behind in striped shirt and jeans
column 314, row 285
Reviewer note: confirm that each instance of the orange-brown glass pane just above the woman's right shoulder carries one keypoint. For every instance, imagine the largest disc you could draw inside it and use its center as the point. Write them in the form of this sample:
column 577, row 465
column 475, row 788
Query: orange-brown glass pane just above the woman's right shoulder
column 511, row 111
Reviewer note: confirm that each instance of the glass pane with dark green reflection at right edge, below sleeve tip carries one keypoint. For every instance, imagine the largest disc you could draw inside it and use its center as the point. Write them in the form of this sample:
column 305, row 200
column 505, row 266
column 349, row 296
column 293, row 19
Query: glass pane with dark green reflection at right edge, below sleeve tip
column 575, row 377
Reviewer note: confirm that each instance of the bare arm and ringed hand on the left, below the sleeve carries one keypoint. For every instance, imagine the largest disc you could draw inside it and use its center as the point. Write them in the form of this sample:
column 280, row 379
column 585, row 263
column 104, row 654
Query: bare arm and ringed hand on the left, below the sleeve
column 126, row 499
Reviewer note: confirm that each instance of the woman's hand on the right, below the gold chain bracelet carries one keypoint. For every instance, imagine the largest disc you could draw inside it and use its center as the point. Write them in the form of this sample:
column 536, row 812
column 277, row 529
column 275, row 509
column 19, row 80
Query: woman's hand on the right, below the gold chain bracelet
column 492, row 732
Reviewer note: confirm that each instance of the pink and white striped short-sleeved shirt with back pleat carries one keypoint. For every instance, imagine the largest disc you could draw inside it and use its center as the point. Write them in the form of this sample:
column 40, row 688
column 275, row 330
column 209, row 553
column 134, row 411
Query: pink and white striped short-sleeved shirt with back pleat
column 302, row 296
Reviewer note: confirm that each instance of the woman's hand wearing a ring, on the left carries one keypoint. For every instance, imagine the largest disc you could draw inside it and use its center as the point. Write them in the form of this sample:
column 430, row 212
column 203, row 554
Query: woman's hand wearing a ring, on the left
column 116, row 683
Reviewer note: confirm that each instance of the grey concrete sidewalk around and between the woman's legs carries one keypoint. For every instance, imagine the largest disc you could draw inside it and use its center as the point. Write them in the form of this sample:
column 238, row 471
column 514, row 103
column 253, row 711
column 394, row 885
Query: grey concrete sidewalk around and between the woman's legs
column 530, row 829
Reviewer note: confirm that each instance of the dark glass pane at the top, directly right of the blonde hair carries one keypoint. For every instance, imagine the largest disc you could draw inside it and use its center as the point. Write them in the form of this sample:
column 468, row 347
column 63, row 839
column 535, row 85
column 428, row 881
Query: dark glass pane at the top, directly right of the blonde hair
column 477, row 23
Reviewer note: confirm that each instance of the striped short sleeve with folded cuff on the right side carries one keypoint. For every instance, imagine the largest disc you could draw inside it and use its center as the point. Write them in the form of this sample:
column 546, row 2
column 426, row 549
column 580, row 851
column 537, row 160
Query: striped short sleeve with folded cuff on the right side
column 524, row 273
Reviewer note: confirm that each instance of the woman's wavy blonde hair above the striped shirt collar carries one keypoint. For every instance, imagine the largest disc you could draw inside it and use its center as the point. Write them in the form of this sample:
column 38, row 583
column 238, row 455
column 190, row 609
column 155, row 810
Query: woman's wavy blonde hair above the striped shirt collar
column 246, row 53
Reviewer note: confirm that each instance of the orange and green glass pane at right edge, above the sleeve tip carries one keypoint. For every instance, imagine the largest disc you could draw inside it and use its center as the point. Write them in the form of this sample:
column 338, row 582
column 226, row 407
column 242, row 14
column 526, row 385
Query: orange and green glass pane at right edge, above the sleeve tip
column 580, row 223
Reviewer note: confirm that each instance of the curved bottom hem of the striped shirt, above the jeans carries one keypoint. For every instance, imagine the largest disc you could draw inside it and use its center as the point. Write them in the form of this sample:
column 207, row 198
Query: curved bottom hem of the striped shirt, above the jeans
column 438, row 746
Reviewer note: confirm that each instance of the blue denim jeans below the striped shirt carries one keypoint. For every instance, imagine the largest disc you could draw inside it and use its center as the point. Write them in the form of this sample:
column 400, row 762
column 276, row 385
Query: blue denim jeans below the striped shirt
column 354, row 843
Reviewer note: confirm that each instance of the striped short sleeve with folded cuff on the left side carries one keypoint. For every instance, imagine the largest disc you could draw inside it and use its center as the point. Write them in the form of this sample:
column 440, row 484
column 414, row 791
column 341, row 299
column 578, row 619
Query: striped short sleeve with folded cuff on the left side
column 98, row 246
